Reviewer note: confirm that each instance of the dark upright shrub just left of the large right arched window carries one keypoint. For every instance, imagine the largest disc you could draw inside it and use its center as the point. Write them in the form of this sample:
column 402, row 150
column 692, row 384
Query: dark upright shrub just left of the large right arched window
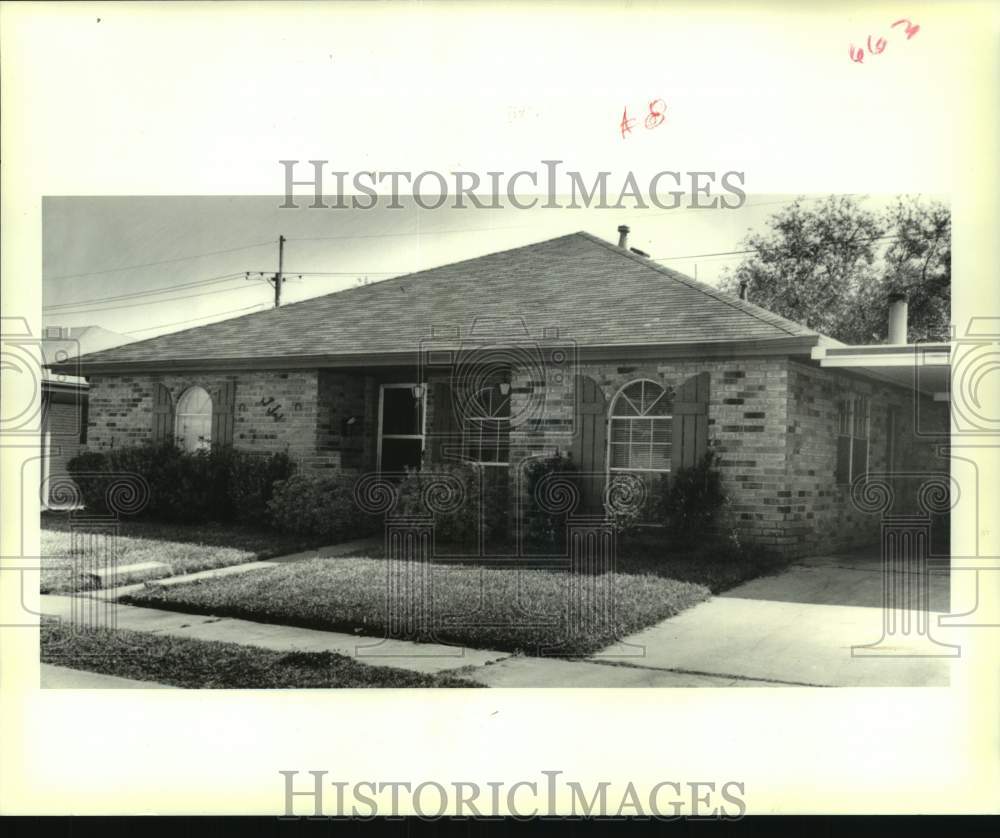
column 550, row 490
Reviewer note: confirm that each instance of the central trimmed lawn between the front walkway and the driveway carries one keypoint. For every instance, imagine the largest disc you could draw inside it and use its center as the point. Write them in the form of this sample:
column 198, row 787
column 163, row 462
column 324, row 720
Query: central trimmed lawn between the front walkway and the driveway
column 527, row 610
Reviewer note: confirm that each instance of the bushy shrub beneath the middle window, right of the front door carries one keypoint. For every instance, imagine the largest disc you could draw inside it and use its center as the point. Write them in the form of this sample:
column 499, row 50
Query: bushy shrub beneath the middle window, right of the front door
column 460, row 497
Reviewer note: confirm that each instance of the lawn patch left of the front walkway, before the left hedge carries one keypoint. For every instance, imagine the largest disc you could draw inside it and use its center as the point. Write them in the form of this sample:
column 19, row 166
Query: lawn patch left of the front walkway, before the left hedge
column 185, row 547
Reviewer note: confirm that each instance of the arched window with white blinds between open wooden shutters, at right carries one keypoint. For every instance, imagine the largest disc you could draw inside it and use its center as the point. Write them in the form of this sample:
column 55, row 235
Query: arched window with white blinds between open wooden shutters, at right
column 641, row 427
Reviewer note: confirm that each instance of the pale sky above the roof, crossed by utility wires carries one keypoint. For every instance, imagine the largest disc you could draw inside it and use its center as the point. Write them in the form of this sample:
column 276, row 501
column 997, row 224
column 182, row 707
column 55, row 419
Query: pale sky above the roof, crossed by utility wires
column 144, row 266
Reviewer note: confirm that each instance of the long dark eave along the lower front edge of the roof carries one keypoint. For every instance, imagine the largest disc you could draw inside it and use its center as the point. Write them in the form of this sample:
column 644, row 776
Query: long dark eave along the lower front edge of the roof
column 792, row 345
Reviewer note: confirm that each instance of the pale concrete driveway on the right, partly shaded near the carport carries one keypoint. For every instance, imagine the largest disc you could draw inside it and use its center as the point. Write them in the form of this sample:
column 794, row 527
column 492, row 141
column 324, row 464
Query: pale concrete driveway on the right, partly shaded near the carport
column 798, row 628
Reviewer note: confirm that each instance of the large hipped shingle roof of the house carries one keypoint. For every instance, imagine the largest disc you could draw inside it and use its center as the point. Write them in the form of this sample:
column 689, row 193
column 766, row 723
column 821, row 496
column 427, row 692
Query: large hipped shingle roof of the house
column 594, row 293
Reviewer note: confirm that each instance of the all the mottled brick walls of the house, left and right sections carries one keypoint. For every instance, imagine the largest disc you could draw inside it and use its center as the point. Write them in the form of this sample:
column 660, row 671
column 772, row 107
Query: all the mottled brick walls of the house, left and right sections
column 772, row 421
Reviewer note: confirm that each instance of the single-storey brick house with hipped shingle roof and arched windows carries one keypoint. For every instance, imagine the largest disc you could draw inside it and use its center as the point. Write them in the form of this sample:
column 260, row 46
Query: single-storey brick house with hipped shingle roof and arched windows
column 571, row 344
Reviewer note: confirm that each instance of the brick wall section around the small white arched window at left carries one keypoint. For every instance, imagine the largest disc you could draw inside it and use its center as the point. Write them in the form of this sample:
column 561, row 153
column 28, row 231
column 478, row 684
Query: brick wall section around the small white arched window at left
column 121, row 409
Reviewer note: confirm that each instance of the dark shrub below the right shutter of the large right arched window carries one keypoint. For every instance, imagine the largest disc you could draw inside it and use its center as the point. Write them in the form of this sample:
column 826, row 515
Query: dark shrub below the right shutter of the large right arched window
column 689, row 501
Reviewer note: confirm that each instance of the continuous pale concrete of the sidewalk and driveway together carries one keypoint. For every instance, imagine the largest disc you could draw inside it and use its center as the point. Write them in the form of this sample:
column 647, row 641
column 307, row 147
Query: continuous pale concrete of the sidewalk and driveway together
column 794, row 629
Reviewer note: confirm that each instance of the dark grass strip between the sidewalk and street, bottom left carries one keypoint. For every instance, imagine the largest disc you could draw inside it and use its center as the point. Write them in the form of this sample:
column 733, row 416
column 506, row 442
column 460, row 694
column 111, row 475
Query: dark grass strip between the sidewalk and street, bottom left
column 201, row 664
